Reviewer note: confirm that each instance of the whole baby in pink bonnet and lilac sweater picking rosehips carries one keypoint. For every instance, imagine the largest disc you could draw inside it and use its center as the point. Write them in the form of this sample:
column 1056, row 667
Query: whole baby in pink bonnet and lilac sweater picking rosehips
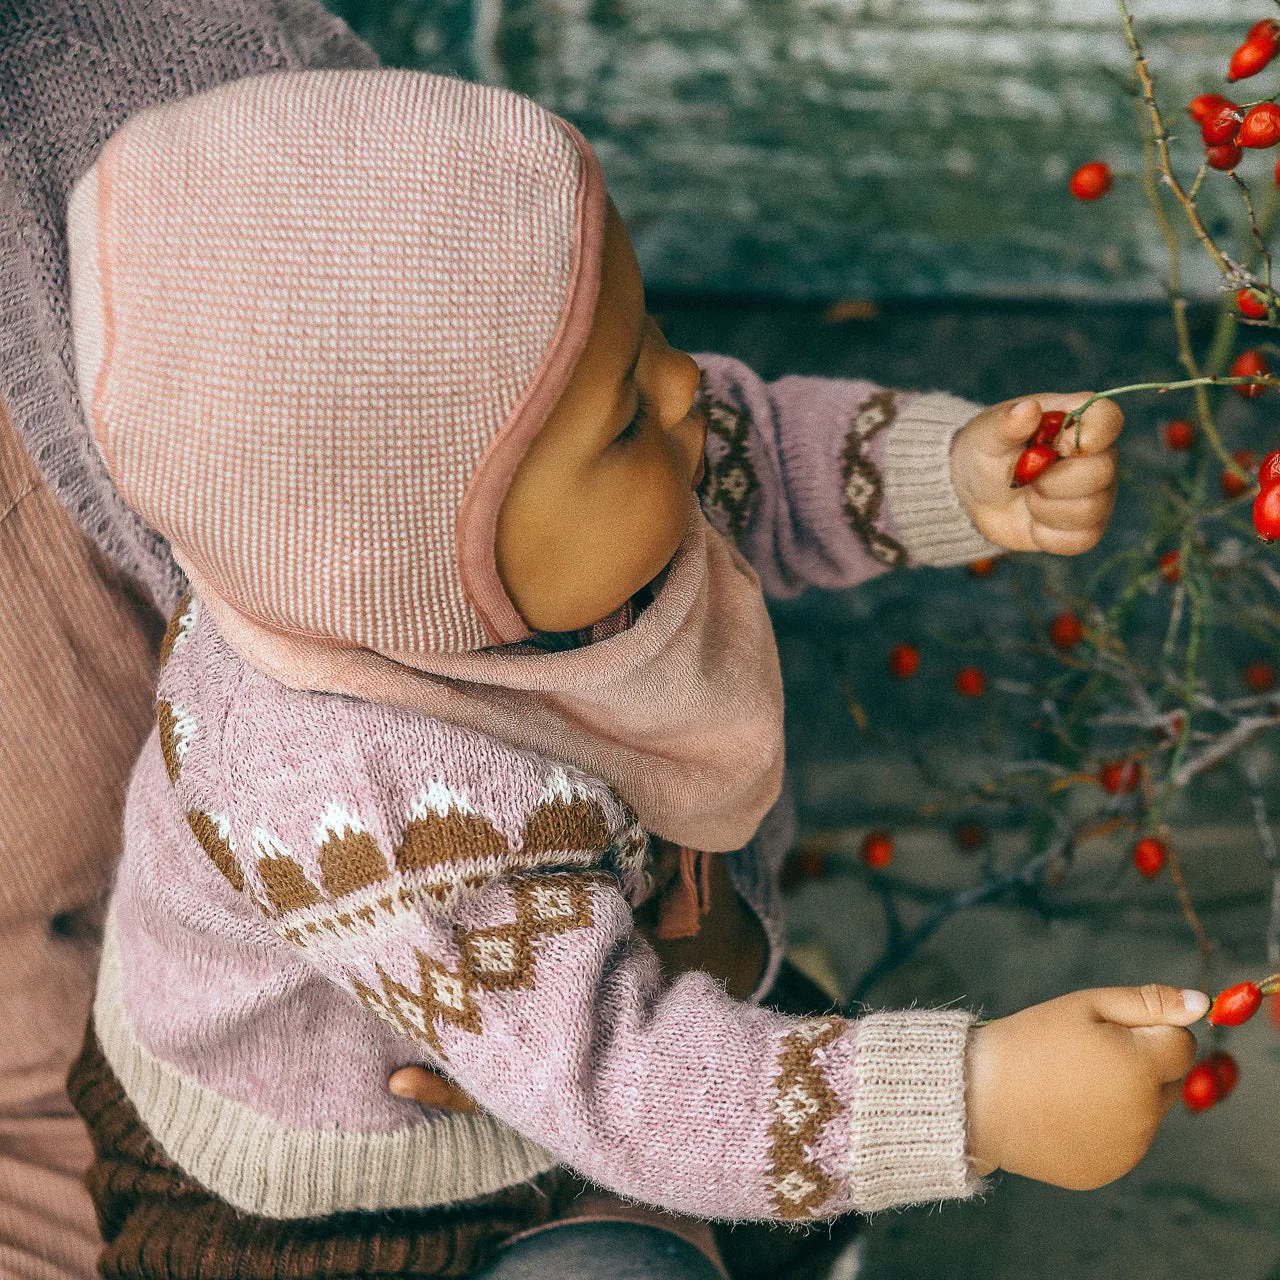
column 474, row 675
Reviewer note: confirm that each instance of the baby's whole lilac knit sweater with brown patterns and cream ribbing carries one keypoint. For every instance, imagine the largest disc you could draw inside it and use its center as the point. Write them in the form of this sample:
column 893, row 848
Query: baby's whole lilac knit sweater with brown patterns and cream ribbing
column 317, row 890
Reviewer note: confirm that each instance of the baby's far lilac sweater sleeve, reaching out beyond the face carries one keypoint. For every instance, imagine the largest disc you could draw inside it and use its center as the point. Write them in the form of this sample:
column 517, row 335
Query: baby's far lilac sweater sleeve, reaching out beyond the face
column 826, row 482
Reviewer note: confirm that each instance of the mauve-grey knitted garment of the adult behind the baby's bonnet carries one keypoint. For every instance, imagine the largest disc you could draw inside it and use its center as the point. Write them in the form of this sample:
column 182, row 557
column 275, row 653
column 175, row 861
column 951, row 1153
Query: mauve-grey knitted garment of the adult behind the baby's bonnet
column 70, row 76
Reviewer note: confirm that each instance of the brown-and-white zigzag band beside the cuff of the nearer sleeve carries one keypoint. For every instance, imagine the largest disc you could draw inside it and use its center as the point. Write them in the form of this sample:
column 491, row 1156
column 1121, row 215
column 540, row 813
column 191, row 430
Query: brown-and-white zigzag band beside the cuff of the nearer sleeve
column 802, row 1105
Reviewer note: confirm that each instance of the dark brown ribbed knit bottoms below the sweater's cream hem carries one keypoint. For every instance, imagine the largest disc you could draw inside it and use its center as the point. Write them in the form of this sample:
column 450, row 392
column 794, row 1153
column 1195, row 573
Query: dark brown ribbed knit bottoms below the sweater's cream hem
column 159, row 1224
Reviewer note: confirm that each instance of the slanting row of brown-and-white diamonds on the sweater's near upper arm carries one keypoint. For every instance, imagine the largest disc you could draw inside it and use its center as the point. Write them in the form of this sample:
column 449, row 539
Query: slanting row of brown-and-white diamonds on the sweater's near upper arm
column 499, row 958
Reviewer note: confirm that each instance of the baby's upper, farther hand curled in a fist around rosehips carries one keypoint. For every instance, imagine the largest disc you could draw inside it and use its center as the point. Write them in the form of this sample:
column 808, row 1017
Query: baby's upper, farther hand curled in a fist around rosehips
column 1067, row 509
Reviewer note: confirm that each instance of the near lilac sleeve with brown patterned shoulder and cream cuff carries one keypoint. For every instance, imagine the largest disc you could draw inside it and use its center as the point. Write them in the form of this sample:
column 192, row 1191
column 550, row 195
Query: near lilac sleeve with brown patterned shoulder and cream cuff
column 479, row 900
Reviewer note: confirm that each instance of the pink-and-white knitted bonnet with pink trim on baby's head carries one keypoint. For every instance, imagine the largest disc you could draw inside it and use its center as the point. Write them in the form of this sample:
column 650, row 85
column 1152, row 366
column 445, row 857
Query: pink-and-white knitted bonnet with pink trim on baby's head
column 318, row 319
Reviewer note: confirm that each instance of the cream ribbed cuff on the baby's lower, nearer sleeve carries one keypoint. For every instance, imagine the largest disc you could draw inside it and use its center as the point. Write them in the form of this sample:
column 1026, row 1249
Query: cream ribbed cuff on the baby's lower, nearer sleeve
column 908, row 1139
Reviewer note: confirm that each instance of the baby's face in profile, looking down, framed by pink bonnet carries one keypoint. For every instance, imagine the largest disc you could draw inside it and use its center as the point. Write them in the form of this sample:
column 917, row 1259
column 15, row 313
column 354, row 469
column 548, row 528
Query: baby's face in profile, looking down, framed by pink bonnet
column 600, row 502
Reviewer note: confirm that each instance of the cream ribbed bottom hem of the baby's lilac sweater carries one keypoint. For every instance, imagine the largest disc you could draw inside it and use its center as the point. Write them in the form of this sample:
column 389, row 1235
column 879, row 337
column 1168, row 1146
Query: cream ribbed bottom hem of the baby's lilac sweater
column 262, row 1167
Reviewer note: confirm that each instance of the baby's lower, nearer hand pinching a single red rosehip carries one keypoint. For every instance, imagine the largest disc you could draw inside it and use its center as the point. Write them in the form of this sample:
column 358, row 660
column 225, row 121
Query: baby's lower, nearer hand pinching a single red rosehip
column 1073, row 1091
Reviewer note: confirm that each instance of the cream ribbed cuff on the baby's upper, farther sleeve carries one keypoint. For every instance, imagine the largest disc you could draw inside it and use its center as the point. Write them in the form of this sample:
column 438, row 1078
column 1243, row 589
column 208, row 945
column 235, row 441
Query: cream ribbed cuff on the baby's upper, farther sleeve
column 922, row 502
